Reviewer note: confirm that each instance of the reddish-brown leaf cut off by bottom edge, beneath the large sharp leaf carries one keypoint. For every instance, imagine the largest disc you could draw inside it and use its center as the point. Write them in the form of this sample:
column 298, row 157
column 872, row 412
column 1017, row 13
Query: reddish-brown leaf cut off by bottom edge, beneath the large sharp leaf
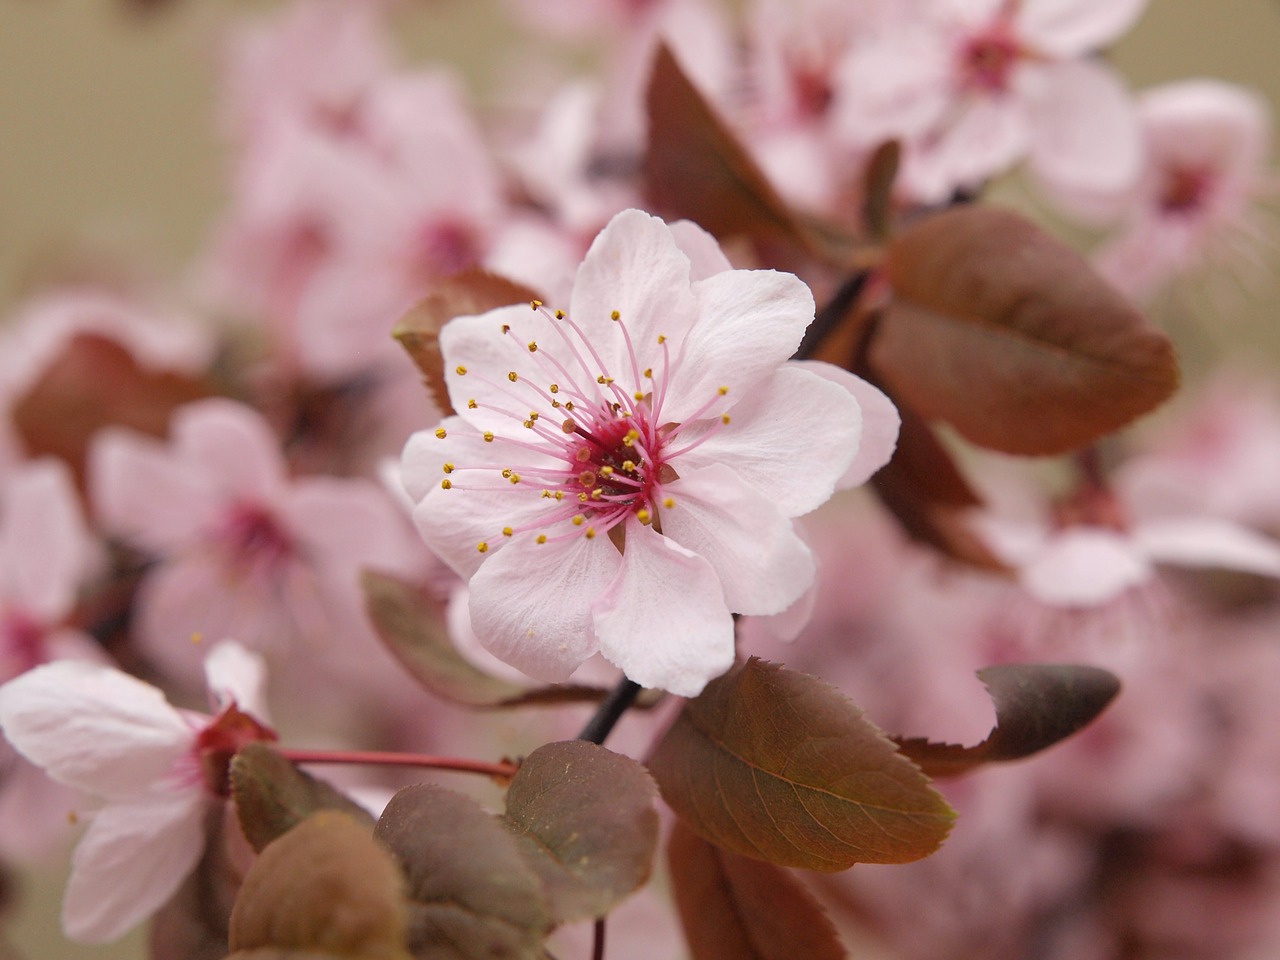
column 734, row 908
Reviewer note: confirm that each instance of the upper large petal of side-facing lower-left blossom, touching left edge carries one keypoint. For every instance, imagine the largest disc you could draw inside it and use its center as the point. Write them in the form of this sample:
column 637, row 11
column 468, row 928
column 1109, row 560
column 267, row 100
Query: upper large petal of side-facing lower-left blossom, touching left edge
column 94, row 728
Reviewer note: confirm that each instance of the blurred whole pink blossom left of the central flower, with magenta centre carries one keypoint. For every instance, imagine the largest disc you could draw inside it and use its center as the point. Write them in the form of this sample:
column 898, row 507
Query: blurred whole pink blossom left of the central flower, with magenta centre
column 243, row 548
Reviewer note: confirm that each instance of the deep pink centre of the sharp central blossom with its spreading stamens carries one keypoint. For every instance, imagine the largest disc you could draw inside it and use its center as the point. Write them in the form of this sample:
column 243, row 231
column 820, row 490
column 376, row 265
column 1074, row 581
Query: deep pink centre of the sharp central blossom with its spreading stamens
column 609, row 452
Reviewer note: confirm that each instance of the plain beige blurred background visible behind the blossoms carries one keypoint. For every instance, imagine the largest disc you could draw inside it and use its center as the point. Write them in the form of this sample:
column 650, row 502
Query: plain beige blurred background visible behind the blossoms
column 108, row 158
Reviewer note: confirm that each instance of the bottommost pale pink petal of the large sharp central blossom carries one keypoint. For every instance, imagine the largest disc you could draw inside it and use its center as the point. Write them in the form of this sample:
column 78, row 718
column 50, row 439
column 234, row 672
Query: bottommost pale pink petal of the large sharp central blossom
column 664, row 620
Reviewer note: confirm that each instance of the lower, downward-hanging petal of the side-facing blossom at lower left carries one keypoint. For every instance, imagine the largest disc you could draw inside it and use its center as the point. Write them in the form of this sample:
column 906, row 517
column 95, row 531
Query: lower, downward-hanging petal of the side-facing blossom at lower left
column 131, row 862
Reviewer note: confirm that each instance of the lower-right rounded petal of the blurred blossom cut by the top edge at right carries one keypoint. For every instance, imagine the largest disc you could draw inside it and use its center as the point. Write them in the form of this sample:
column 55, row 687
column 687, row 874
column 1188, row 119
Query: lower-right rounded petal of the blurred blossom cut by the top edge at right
column 1085, row 130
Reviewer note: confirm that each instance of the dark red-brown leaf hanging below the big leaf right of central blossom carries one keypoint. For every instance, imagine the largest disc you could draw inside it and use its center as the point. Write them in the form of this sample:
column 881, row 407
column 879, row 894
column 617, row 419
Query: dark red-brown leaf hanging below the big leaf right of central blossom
column 926, row 491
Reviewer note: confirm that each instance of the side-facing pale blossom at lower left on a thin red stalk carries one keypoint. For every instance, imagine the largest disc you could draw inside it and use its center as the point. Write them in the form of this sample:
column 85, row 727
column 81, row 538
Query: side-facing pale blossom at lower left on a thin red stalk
column 157, row 769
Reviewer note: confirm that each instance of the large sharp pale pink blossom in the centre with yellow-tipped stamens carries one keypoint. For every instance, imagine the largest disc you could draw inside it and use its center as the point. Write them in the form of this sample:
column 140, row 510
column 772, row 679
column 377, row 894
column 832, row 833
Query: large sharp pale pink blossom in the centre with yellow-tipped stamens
column 621, row 477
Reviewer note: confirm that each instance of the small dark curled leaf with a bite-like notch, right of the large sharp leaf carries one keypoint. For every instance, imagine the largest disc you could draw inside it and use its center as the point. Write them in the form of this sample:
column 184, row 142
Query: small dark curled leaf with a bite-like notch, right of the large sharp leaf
column 1037, row 705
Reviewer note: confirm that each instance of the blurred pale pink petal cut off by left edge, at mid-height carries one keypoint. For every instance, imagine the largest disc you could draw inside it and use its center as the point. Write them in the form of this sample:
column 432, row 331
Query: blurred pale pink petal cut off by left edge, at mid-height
column 45, row 548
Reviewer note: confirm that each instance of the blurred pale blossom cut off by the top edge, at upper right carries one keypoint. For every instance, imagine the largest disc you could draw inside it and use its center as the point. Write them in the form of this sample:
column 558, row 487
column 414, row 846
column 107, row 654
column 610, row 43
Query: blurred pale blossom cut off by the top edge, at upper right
column 976, row 86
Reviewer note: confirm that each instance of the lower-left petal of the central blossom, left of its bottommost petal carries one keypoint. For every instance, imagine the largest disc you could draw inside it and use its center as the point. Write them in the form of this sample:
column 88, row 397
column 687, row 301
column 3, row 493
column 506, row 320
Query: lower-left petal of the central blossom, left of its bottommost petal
column 532, row 604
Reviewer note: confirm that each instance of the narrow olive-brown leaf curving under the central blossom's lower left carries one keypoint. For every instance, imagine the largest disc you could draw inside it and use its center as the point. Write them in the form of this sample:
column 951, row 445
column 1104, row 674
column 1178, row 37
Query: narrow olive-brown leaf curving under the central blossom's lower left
column 414, row 630
